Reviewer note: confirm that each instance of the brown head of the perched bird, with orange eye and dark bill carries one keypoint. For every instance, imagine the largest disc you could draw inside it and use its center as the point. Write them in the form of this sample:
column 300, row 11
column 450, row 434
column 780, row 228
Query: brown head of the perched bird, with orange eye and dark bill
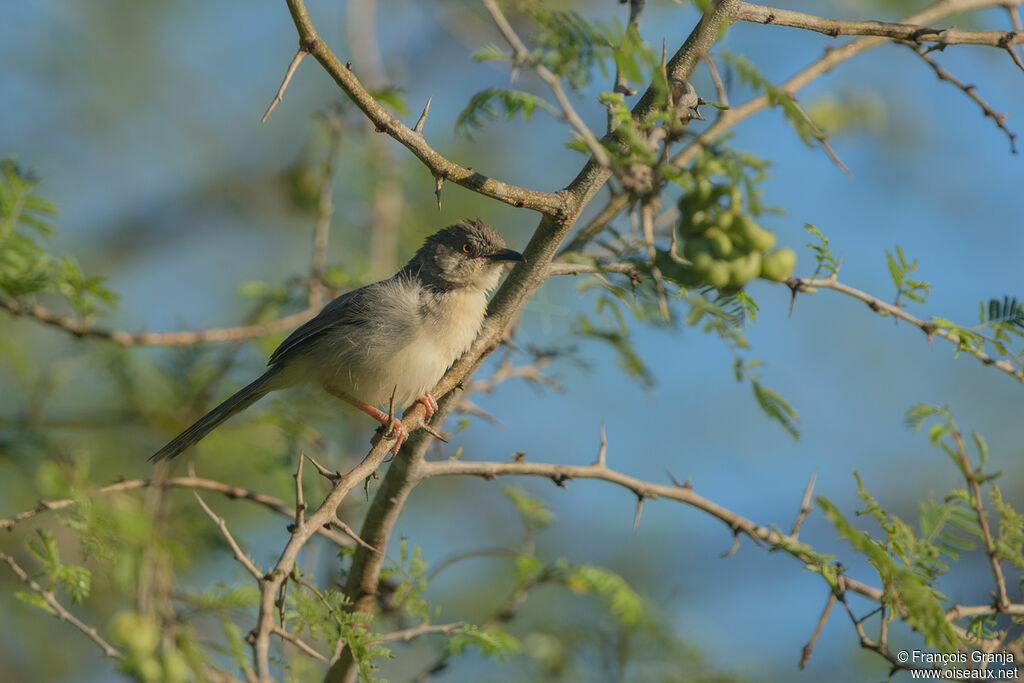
column 467, row 254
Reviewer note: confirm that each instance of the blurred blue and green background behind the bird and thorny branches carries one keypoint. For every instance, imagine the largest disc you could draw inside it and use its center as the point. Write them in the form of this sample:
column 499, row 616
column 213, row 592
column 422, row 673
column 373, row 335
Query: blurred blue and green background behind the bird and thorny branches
column 142, row 120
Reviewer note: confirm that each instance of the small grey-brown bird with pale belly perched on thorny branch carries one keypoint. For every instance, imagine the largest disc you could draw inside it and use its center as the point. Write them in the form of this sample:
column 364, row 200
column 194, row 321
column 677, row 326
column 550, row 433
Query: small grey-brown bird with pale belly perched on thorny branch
column 387, row 344
